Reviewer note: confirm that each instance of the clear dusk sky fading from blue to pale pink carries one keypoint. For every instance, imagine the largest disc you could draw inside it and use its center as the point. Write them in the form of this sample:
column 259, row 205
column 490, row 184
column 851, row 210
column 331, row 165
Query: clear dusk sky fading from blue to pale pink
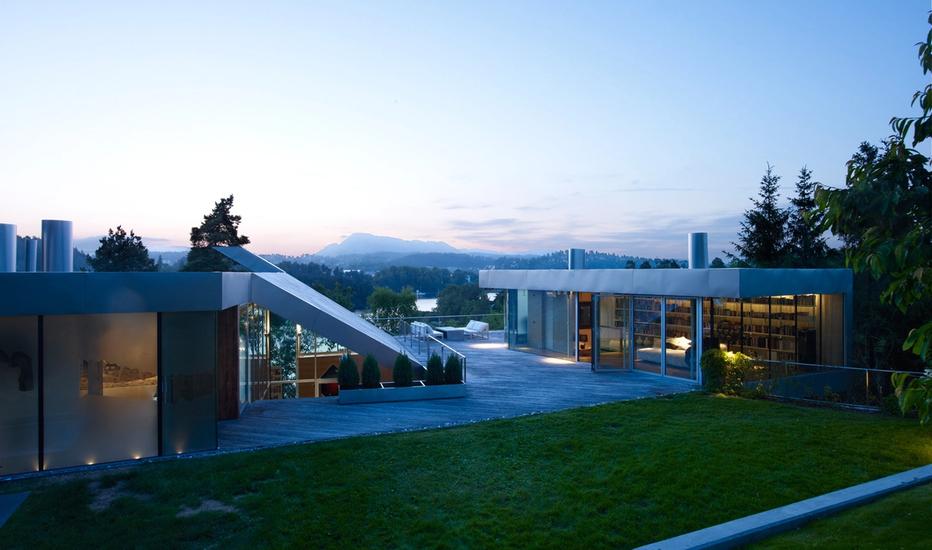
column 508, row 126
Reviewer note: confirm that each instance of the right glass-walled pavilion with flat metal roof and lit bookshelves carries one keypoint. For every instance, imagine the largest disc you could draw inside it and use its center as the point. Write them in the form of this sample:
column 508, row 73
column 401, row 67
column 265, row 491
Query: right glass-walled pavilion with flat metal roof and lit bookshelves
column 661, row 320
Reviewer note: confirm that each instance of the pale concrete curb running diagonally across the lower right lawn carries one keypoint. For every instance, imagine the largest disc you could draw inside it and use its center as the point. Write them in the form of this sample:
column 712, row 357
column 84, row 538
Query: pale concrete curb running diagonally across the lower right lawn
column 765, row 524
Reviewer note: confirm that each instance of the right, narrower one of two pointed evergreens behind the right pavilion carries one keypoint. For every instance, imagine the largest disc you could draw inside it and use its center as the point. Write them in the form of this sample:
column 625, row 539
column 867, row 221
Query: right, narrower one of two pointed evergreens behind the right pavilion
column 806, row 243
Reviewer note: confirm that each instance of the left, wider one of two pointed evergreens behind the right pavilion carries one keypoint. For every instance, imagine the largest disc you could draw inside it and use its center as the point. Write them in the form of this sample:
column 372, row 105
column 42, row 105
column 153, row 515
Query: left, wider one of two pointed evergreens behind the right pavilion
column 762, row 238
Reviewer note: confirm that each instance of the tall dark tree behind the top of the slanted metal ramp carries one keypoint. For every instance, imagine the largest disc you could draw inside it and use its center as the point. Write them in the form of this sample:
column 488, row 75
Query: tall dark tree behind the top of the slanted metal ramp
column 219, row 228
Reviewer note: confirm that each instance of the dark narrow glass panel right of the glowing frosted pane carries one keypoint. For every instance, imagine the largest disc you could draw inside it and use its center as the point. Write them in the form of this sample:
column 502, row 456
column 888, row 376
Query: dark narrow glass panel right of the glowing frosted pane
column 189, row 359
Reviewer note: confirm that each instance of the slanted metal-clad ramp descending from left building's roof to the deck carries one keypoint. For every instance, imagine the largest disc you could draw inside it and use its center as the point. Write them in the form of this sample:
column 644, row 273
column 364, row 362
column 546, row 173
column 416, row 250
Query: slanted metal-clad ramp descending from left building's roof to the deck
column 288, row 297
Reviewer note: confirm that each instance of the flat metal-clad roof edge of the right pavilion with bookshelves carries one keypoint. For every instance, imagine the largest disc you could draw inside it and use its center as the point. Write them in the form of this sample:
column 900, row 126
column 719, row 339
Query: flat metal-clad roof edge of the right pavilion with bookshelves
column 725, row 282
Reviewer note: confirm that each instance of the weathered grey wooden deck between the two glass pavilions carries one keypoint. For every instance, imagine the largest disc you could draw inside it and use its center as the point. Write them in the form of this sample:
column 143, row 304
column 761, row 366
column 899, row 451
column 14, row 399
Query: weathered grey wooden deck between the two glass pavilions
column 502, row 383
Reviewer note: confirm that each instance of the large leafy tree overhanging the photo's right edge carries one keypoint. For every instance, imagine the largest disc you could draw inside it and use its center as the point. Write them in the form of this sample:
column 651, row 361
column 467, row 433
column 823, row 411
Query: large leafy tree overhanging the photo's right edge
column 886, row 209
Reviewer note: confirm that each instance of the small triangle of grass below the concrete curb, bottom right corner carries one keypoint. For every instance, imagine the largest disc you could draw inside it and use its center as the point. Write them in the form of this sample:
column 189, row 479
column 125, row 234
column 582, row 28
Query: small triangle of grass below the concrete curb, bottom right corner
column 898, row 521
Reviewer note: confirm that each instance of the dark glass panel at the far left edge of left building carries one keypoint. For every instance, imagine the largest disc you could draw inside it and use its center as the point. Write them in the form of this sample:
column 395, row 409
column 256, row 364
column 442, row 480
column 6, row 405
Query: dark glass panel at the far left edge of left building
column 19, row 409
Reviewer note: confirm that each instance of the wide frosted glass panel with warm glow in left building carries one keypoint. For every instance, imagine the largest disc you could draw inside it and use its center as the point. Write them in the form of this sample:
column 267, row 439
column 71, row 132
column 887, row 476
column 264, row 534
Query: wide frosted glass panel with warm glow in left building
column 100, row 388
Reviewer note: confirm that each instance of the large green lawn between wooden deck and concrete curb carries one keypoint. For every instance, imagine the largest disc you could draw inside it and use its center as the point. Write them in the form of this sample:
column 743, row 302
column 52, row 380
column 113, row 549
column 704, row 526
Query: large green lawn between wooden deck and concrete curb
column 621, row 475
